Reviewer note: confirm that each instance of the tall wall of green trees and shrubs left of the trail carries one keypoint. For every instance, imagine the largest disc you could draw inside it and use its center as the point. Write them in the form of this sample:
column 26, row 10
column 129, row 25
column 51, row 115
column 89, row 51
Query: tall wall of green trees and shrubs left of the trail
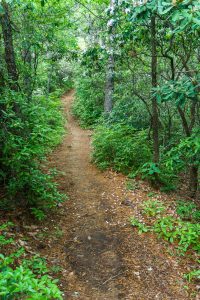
column 34, row 72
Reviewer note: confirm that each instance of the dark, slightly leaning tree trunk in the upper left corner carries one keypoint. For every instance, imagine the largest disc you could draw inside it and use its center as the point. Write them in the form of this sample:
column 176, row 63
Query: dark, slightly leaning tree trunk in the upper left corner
column 9, row 49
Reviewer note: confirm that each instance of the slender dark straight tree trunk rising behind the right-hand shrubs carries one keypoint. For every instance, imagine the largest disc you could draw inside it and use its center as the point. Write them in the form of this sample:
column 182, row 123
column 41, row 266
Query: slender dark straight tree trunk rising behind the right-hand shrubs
column 155, row 118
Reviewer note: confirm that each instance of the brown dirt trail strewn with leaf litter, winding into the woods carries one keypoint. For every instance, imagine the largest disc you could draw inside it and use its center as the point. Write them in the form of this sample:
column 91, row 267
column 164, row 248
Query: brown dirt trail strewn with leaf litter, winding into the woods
column 101, row 255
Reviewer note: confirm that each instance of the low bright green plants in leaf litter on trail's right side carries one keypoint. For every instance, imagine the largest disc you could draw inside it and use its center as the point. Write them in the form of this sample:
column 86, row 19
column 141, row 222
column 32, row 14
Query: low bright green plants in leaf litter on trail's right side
column 182, row 228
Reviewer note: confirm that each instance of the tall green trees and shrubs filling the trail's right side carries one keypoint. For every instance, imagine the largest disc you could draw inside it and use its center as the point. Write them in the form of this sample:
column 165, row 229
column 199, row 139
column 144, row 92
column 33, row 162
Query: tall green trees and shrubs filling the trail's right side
column 146, row 54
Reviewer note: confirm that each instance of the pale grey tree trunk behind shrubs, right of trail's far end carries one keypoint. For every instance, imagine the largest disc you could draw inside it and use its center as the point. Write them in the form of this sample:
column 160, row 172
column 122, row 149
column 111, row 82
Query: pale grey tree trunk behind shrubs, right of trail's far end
column 108, row 103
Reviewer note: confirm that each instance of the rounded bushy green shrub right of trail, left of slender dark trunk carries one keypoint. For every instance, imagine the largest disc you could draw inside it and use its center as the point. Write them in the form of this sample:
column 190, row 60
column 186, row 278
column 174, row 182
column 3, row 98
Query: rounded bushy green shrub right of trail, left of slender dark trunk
column 120, row 147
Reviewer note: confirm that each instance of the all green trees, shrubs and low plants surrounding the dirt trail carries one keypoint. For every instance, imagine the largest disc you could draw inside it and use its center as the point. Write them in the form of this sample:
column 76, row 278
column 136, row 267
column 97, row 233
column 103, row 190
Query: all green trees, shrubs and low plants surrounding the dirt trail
column 136, row 70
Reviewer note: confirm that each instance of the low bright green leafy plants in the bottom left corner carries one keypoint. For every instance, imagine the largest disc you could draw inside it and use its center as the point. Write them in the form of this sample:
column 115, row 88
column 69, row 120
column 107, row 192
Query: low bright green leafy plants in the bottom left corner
column 22, row 277
